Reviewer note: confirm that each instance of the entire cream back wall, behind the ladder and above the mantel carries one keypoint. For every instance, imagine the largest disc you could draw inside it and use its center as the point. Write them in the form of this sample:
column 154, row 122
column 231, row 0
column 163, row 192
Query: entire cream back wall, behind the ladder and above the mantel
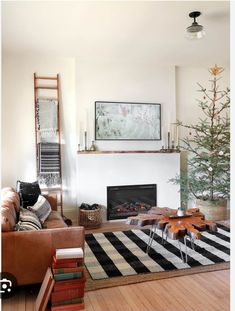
column 82, row 83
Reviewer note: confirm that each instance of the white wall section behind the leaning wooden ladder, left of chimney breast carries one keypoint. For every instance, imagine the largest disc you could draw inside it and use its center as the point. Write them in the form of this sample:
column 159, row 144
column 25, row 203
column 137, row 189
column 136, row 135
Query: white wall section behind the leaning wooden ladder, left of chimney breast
column 18, row 132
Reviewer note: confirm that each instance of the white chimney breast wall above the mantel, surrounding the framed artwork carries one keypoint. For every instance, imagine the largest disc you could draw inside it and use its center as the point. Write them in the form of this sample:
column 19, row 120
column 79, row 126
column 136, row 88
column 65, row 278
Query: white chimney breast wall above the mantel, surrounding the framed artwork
column 124, row 82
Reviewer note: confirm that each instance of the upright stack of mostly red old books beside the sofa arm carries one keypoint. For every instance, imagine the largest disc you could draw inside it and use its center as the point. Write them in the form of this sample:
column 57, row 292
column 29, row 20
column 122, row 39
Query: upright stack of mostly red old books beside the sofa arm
column 68, row 273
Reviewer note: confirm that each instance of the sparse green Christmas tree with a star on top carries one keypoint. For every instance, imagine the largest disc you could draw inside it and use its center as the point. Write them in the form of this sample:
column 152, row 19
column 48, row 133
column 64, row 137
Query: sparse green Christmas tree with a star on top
column 208, row 146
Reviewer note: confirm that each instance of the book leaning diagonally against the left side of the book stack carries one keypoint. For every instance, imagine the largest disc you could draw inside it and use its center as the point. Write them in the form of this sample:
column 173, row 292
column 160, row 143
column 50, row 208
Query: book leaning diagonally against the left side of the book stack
column 45, row 291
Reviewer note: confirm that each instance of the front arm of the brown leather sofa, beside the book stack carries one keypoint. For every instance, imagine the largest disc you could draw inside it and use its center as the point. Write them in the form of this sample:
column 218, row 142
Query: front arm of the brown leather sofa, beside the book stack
column 28, row 254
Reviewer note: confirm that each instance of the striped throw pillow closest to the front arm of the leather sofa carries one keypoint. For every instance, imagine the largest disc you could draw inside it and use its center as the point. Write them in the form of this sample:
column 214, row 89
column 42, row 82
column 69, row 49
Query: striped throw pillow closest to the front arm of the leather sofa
column 28, row 221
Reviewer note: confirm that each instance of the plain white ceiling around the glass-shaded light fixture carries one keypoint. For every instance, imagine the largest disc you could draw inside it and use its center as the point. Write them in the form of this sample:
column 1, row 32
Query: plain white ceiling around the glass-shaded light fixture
column 127, row 31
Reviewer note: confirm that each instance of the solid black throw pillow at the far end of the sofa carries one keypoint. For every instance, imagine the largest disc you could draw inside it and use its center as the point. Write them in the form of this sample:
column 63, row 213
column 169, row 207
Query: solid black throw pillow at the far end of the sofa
column 28, row 192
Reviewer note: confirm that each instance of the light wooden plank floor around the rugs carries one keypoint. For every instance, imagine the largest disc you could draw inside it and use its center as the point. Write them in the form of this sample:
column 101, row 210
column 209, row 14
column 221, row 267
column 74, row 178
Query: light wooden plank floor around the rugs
column 199, row 292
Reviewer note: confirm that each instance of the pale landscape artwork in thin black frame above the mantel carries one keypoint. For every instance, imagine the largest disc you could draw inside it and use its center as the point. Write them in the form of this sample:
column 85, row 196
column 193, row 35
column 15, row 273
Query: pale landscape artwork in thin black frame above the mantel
column 127, row 121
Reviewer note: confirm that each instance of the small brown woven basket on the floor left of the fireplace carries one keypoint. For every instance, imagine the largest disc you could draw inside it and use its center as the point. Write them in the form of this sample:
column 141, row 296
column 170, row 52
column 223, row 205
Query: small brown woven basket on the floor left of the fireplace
column 90, row 218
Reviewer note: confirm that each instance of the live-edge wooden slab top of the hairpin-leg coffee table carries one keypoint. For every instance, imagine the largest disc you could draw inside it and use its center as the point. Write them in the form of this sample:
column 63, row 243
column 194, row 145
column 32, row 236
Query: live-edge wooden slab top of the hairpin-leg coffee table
column 174, row 226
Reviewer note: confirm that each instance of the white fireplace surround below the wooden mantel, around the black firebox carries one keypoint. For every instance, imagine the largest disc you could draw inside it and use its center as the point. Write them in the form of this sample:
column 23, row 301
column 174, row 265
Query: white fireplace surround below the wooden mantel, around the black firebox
column 97, row 171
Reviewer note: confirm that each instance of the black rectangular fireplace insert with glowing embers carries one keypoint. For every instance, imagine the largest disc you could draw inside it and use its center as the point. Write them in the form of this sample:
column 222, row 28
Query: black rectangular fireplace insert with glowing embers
column 125, row 201
